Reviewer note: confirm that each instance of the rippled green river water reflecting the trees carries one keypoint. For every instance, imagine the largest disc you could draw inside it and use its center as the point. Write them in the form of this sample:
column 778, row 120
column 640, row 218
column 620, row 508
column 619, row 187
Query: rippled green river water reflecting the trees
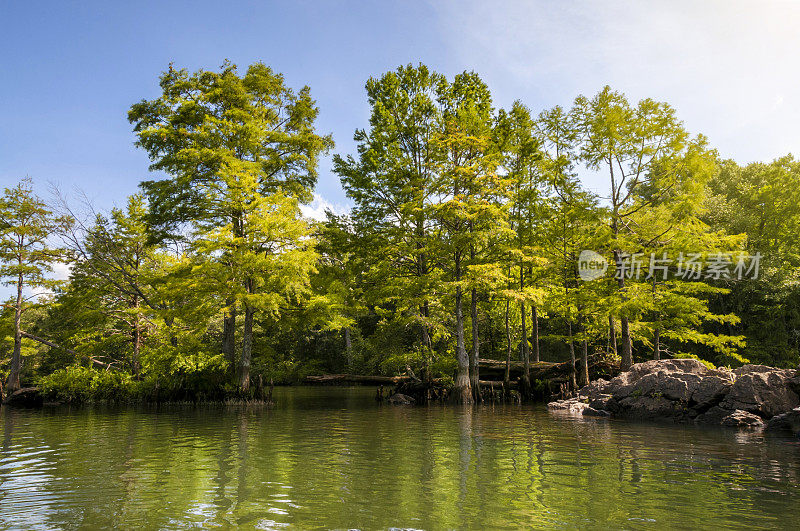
column 333, row 458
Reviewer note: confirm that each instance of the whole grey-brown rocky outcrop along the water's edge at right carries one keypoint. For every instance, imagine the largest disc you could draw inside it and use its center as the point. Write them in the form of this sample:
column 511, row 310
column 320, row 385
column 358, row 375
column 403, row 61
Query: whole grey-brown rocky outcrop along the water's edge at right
column 754, row 397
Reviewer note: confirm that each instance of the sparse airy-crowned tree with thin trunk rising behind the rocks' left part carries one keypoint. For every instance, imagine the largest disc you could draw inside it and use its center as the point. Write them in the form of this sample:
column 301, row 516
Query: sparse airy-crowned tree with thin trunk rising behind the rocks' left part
column 642, row 146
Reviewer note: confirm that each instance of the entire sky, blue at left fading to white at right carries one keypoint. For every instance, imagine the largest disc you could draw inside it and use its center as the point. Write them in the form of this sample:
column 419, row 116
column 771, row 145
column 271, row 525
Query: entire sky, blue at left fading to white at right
column 69, row 71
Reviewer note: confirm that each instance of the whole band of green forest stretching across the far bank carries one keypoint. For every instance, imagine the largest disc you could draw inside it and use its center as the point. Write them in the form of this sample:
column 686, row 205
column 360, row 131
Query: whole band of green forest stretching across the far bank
column 467, row 227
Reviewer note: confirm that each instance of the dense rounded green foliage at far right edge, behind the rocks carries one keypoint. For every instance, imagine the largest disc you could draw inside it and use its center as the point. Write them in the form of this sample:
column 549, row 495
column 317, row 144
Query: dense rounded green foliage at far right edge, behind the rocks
column 760, row 201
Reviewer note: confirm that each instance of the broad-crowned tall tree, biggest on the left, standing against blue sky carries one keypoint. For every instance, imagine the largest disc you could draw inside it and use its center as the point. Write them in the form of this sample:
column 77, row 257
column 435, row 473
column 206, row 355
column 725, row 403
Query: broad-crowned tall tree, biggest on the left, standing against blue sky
column 234, row 147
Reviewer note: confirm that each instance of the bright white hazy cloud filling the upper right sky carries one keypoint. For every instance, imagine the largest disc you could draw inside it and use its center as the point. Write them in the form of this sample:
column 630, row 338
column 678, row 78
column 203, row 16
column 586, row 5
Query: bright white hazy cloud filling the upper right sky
column 728, row 67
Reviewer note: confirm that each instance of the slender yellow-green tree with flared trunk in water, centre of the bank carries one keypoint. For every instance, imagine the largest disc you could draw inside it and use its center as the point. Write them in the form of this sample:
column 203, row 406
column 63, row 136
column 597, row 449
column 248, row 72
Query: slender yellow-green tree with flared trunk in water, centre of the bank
column 467, row 210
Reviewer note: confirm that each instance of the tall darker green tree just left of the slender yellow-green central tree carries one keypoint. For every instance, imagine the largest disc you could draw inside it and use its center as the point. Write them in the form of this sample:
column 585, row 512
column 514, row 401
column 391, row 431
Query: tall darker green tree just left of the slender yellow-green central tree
column 392, row 186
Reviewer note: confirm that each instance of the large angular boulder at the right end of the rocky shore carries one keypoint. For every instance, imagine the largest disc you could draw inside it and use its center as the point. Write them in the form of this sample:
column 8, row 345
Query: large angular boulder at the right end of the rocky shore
column 761, row 390
